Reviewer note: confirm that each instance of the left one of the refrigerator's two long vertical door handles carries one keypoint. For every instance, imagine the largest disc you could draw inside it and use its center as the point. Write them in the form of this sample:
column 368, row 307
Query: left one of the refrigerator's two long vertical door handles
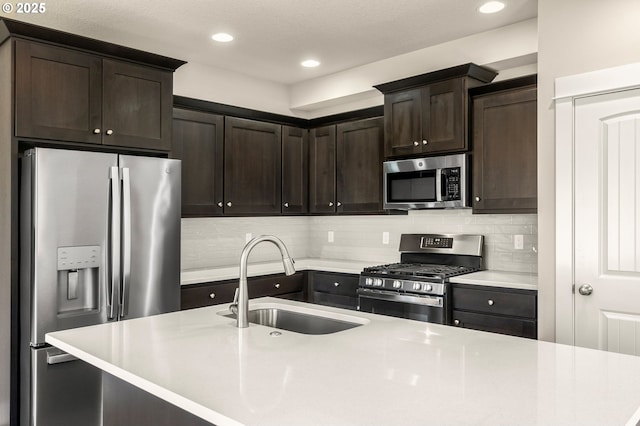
column 114, row 241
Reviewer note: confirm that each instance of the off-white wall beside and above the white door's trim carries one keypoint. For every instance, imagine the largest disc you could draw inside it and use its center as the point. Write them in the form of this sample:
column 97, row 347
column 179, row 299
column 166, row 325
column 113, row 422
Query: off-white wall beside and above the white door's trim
column 575, row 36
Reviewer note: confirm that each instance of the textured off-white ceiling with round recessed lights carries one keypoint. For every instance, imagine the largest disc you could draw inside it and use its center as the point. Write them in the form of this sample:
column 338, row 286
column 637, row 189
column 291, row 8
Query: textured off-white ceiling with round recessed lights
column 273, row 36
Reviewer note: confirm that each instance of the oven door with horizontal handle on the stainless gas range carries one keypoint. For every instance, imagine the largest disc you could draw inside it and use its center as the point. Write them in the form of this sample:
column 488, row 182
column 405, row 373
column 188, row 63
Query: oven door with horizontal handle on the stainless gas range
column 409, row 306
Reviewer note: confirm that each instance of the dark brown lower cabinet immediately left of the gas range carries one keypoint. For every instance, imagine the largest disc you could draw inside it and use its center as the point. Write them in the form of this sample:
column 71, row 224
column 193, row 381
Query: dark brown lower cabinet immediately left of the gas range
column 334, row 289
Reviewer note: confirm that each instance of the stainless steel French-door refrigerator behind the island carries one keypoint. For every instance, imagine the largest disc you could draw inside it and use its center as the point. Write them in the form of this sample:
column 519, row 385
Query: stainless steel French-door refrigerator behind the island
column 100, row 242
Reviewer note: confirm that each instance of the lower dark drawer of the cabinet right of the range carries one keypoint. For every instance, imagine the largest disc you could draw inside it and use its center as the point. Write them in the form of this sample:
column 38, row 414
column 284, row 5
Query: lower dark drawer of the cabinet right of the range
column 495, row 324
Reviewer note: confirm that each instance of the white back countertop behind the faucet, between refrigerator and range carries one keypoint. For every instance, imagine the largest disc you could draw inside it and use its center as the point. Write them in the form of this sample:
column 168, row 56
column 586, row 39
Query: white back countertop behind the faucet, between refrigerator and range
column 265, row 268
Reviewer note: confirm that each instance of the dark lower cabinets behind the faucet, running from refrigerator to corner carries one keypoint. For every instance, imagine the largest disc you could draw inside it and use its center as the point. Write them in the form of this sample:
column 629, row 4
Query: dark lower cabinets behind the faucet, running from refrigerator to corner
column 218, row 292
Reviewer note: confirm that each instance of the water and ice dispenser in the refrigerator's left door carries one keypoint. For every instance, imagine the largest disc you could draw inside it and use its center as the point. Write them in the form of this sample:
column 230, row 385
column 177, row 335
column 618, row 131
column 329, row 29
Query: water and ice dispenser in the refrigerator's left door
column 78, row 279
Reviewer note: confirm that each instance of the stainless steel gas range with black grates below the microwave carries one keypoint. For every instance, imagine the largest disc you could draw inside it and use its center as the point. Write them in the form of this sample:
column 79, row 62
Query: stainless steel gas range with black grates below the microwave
column 418, row 286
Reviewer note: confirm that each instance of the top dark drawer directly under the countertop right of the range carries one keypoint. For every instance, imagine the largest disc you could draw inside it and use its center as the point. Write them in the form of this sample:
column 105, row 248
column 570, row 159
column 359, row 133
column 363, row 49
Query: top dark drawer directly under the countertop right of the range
column 519, row 303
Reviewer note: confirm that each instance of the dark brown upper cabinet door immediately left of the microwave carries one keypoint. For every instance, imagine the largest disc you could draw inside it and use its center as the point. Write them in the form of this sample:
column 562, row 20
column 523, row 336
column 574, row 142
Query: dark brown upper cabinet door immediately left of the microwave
column 359, row 147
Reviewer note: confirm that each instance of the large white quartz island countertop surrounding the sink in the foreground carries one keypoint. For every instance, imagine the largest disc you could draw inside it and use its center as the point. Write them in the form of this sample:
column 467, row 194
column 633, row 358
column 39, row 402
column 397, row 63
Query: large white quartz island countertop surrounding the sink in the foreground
column 389, row 371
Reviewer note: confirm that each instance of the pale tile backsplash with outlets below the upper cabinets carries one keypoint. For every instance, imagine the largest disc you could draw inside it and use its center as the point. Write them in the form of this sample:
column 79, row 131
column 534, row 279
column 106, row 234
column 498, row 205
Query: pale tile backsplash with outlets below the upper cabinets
column 216, row 242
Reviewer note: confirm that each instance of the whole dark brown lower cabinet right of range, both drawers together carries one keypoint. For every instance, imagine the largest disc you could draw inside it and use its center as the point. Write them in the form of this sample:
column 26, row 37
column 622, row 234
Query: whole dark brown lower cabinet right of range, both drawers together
column 495, row 309
